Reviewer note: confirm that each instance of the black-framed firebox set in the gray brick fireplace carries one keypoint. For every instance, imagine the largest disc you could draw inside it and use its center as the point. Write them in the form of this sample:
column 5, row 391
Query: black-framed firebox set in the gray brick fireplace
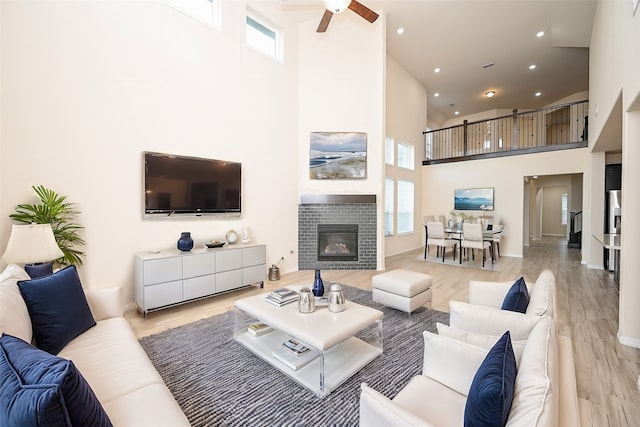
column 337, row 242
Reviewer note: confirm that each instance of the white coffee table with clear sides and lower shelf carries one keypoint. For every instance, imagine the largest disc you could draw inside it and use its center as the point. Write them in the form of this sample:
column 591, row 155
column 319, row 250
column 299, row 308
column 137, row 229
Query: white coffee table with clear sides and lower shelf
column 340, row 343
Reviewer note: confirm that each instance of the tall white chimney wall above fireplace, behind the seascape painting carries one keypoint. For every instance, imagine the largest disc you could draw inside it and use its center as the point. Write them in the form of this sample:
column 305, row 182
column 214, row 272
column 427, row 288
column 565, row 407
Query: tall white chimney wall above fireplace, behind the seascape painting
column 341, row 89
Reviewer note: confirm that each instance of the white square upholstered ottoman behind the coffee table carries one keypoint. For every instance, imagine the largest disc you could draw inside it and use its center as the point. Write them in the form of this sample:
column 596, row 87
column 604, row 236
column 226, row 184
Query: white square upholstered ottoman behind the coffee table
column 401, row 289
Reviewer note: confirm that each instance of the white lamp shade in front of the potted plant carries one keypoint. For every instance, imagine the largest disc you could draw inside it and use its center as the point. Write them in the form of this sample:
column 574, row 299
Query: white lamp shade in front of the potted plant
column 31, row 243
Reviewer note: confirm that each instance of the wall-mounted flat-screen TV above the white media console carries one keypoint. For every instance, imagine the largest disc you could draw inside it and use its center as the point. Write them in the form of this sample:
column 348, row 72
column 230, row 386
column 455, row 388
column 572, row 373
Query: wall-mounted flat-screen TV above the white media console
column 191, row 185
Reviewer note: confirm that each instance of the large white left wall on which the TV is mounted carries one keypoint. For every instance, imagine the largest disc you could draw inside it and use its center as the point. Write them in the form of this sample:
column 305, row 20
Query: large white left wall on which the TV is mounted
column 88, row 86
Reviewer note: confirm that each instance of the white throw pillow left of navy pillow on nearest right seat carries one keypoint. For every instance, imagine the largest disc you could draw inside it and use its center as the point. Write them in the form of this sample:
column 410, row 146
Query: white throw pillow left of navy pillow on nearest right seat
column 451, row 362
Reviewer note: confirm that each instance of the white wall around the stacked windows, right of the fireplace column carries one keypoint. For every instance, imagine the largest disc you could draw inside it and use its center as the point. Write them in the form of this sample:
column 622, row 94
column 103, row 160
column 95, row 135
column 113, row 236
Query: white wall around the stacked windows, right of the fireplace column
column 406, row 106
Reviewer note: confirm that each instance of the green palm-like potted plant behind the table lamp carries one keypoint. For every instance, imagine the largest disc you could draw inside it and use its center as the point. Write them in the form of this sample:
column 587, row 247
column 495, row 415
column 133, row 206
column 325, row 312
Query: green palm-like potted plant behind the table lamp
column 54, row 209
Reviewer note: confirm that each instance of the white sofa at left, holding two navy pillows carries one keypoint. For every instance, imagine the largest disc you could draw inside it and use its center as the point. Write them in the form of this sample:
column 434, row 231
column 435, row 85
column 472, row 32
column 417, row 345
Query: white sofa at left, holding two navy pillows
column 107, row 355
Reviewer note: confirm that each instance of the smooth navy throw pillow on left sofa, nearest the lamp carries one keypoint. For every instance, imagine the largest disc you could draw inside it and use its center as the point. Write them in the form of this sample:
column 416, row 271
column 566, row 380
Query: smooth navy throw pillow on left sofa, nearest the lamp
column 58, row 308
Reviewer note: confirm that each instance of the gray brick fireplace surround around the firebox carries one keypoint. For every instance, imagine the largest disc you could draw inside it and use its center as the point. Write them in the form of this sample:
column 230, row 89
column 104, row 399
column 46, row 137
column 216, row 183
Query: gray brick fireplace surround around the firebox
column 357, row 209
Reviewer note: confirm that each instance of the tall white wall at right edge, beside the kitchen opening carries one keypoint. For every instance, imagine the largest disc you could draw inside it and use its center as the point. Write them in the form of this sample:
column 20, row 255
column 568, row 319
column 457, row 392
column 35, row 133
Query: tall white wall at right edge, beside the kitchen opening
column 614, row 66
